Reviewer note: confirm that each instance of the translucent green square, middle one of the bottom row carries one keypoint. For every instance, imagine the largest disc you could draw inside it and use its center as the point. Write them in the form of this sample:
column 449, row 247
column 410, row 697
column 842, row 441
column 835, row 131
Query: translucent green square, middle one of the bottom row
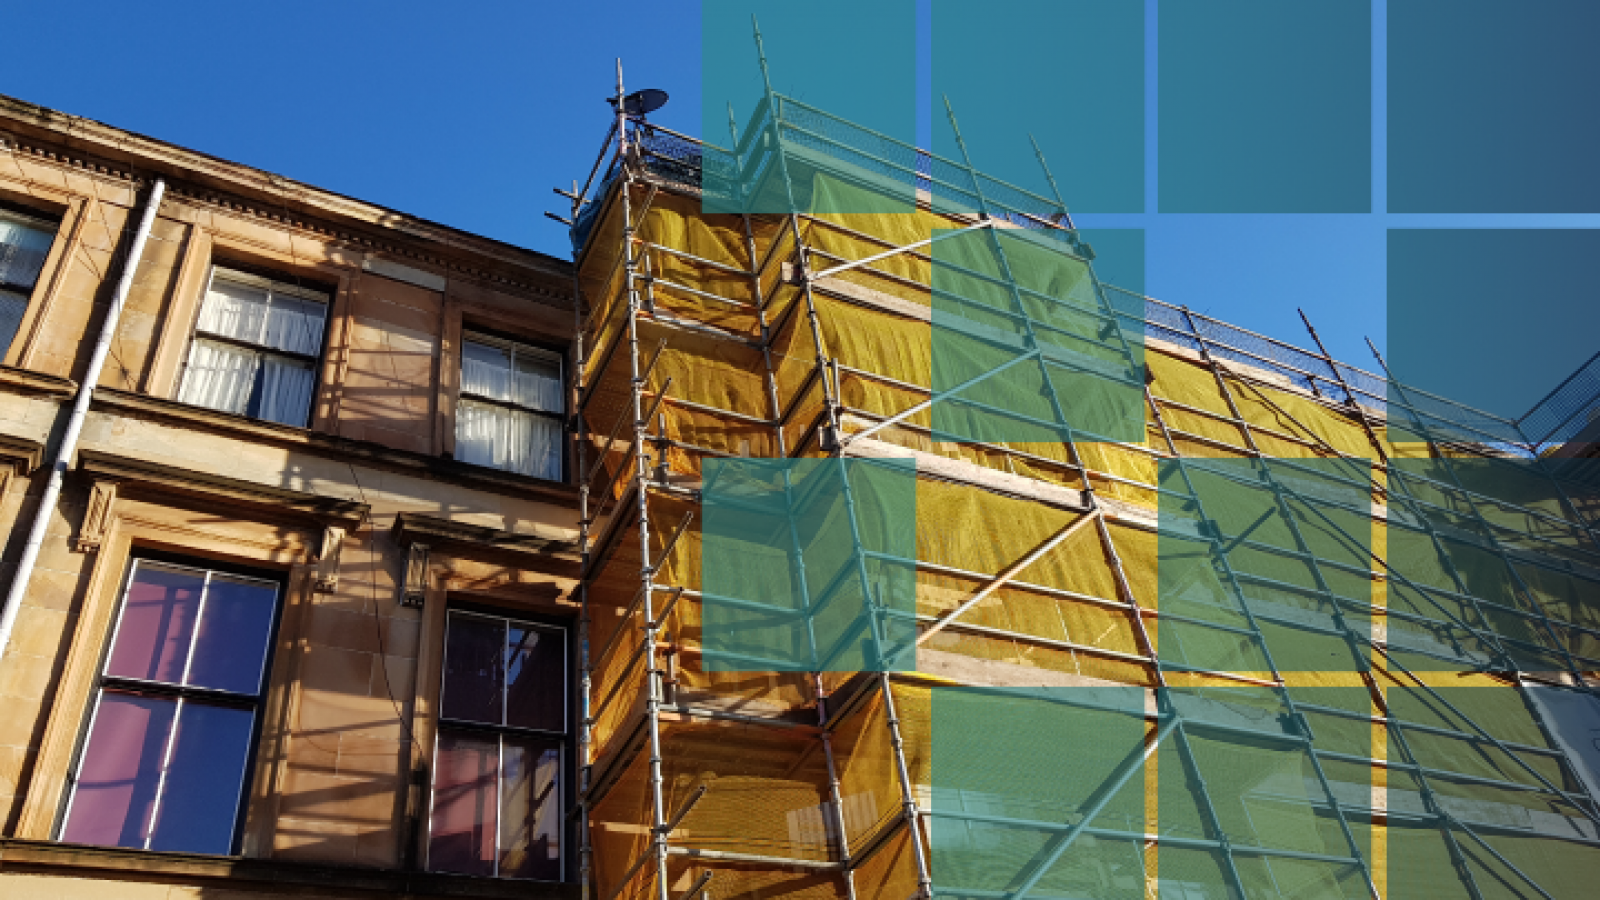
column 1236, row 771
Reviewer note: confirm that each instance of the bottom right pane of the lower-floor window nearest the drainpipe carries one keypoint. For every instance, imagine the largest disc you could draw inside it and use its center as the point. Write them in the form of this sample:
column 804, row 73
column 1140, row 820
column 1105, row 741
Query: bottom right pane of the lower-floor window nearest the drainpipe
column 199, row 802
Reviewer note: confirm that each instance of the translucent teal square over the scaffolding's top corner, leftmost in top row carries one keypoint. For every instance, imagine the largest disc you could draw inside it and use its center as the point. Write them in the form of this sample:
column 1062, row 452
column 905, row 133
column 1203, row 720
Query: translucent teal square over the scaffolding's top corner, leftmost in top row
column 844, row 103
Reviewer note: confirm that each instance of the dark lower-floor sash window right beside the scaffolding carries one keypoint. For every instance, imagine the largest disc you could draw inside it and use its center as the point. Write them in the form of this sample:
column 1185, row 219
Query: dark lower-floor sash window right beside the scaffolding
column 497, row 806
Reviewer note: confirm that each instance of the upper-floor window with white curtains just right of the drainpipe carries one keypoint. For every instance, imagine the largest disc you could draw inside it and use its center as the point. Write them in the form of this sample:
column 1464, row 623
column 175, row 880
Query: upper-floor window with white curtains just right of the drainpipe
column 255, row 348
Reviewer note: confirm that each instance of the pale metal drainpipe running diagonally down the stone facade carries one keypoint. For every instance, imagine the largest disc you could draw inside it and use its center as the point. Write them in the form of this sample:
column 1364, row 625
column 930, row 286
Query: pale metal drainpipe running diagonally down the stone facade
column 70, row 441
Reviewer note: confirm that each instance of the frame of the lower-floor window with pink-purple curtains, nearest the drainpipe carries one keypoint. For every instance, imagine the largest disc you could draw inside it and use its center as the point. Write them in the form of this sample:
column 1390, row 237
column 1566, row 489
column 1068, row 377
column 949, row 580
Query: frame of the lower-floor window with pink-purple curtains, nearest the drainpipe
column 255, row 704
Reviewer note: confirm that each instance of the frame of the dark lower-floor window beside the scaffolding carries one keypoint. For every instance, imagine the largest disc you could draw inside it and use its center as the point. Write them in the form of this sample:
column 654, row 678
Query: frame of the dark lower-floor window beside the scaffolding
column 500, row 733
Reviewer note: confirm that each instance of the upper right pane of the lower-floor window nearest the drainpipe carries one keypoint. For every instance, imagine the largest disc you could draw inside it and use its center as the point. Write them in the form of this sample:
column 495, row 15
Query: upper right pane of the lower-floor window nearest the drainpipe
column 233, row 640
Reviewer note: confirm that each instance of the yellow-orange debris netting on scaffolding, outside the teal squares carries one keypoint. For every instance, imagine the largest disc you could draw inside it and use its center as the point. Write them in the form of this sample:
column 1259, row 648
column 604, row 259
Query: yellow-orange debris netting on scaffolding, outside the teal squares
column 738, row 360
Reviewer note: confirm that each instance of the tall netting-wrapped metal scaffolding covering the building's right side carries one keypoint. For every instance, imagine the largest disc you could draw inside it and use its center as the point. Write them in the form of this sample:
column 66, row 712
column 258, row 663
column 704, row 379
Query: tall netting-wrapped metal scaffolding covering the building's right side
column 1302, row 568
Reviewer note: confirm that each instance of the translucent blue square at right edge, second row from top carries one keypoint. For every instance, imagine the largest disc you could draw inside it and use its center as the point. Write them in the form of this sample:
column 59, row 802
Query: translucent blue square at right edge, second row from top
column 1484, row 324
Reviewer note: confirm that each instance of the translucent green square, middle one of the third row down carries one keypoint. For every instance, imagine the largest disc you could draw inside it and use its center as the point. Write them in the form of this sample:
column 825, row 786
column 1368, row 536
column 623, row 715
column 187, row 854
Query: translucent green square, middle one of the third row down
column 1292, row 539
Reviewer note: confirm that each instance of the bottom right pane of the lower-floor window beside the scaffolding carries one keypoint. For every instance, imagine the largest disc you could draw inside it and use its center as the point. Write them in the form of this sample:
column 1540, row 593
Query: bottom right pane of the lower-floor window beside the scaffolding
column 530, row 811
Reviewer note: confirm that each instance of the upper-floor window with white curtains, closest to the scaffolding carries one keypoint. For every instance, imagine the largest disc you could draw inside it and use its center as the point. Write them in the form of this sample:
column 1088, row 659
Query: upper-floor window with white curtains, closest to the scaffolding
column 511, row 406
